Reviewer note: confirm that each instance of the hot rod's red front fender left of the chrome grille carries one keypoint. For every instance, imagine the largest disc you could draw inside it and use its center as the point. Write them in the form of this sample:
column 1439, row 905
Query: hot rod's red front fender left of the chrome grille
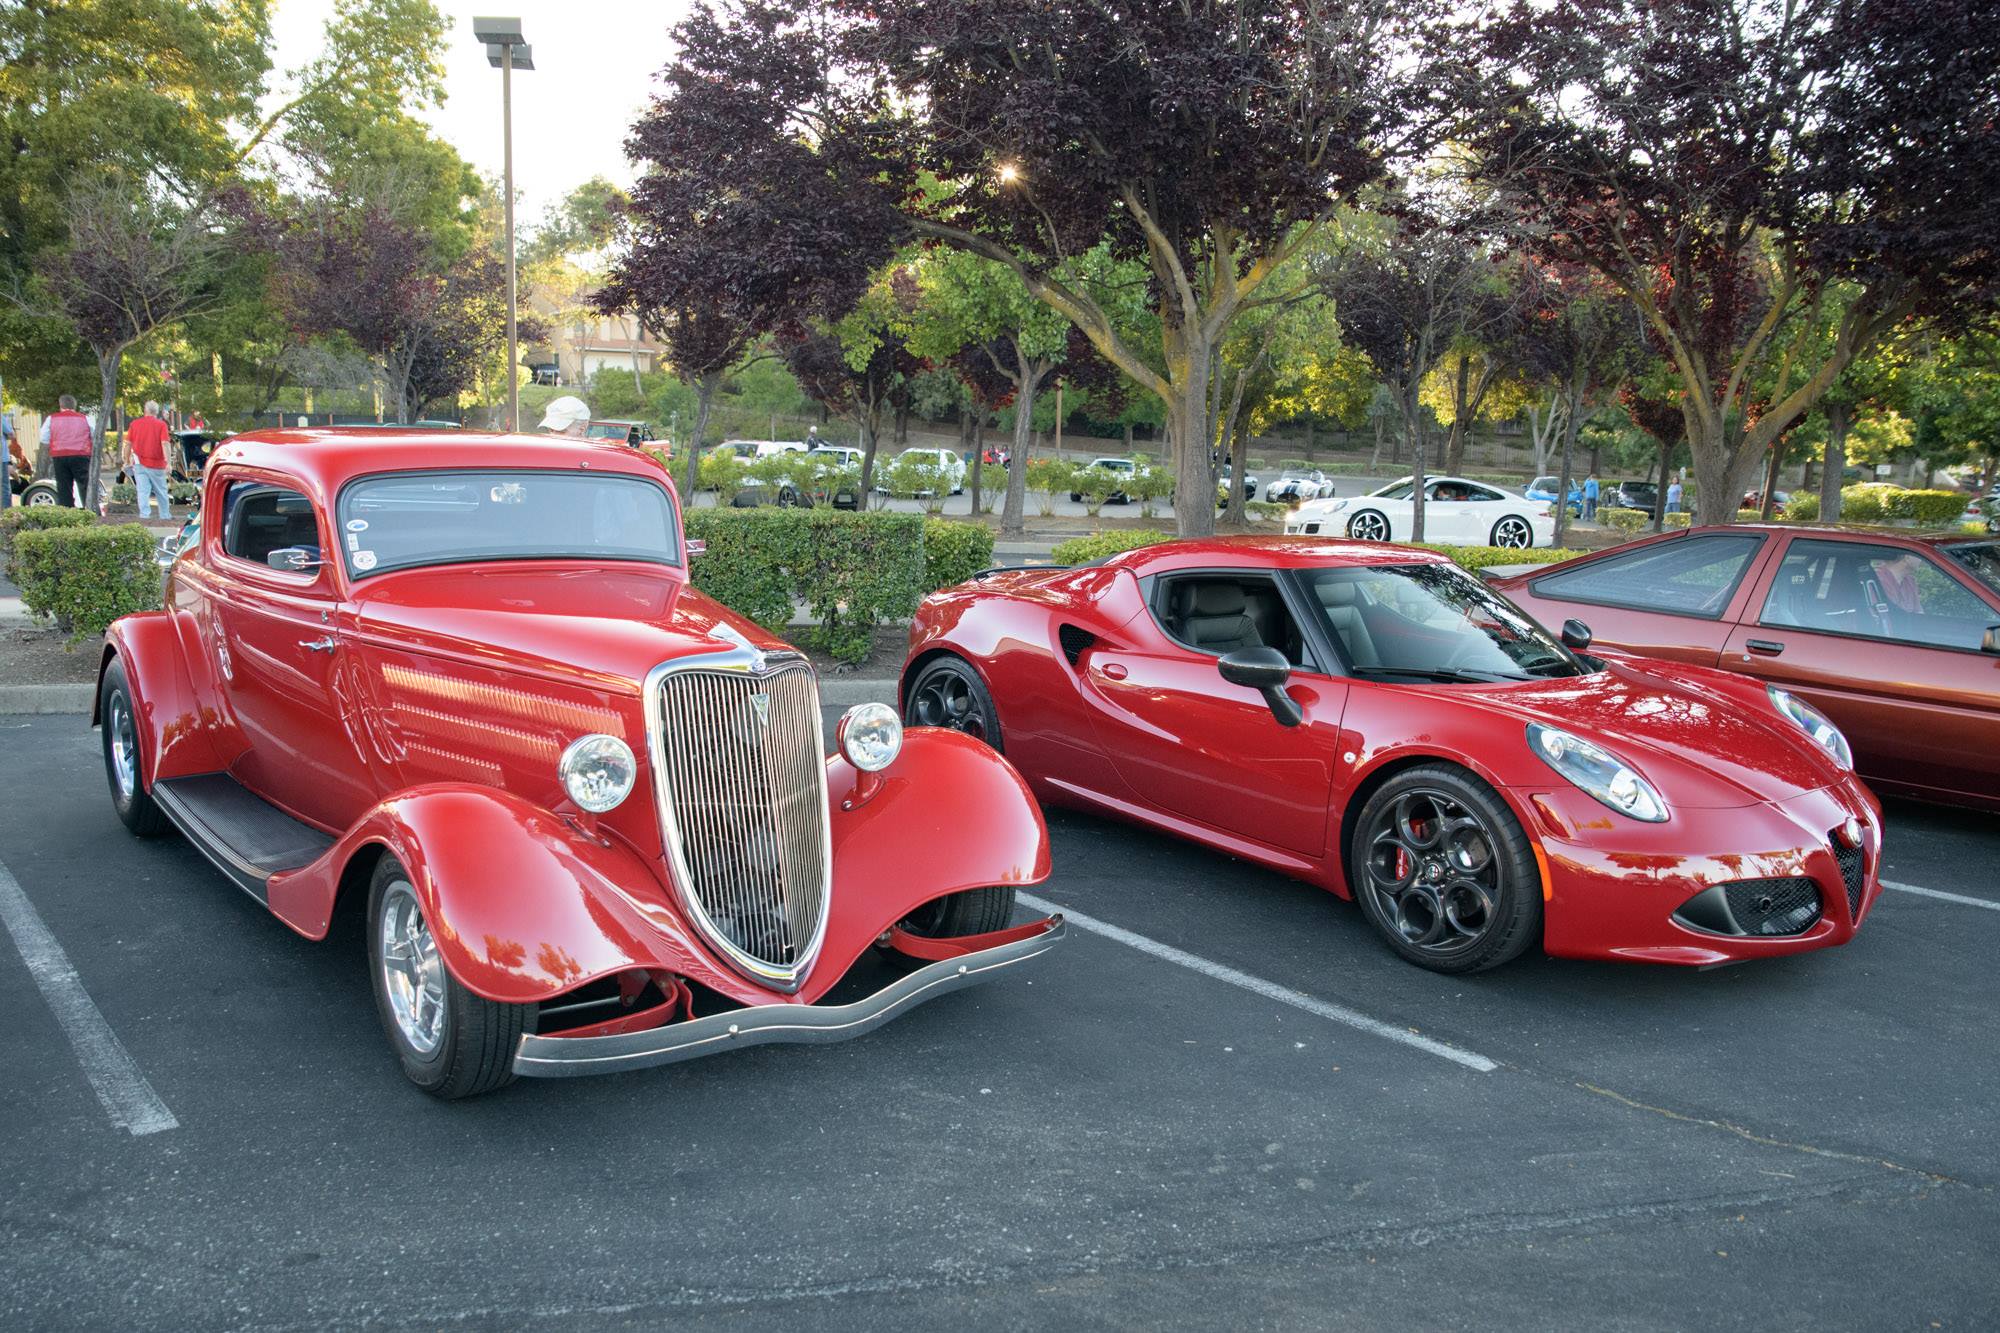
column 523, row 906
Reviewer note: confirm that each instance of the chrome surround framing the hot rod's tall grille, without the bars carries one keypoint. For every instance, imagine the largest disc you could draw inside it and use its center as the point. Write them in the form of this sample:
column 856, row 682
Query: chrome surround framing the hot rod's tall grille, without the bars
column 759, row 665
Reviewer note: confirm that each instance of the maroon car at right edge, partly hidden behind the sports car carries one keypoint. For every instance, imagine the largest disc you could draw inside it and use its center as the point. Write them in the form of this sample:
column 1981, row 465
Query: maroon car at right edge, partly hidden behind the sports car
column 1893, row 635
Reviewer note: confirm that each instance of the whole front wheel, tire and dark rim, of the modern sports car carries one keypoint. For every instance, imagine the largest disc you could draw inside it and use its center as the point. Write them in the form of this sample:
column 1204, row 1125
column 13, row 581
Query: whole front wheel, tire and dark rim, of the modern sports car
column 1455, row 898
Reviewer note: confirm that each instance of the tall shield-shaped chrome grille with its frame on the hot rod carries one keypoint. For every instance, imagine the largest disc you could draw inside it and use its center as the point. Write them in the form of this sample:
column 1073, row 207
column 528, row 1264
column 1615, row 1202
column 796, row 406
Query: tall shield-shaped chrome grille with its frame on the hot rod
column 743, row 806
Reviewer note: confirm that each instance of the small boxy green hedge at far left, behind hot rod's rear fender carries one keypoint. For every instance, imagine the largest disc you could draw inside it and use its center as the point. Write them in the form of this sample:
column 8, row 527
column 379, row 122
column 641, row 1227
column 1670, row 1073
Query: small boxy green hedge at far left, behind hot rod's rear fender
column 87, row 577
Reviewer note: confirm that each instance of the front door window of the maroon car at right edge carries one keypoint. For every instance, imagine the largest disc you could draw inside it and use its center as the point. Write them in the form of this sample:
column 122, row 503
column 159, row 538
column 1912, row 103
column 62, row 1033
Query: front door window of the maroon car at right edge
column 1875, row 591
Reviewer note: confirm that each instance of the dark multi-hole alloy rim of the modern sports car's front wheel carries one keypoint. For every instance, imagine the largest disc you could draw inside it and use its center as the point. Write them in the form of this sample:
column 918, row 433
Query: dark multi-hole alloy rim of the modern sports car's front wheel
column 1433, row 872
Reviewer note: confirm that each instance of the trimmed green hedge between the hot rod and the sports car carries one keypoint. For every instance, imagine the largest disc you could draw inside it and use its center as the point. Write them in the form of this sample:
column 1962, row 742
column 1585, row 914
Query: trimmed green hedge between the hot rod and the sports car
column 851, row 569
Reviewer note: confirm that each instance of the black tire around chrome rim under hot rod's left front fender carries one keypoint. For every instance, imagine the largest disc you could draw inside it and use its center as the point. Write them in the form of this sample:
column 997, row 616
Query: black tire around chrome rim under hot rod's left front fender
column 475, row 1042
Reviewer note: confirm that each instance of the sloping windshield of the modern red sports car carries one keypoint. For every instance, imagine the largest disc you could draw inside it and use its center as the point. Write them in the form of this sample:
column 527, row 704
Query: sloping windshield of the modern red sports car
column 1433, row 621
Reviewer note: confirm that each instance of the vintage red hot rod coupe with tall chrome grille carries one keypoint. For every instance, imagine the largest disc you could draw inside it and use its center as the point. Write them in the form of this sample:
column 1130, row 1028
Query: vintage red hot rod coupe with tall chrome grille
column 463, row 688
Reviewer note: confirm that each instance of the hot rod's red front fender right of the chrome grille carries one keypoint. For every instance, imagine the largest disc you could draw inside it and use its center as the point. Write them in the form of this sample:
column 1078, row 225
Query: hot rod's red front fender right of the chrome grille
column 949, row 816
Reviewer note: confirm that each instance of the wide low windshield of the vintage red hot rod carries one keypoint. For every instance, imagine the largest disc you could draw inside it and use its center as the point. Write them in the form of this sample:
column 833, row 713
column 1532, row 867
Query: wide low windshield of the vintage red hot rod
column 405, row 519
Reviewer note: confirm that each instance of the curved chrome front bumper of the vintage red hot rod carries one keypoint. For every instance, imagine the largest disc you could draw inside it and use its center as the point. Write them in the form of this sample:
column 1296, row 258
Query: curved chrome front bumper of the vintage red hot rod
column 571, row 1058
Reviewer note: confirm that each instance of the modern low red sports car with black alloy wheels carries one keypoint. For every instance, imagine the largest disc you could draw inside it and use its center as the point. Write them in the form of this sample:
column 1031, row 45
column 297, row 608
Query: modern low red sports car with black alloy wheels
column 1377, row 722
